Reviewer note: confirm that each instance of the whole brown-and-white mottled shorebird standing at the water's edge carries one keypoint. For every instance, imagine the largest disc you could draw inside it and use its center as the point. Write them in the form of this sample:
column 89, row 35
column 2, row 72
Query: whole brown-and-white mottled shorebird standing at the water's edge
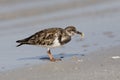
column 50, row 38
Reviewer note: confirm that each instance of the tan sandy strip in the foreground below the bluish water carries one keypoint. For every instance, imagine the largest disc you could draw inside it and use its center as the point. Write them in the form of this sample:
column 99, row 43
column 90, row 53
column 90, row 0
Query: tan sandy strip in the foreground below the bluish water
column 103, row 64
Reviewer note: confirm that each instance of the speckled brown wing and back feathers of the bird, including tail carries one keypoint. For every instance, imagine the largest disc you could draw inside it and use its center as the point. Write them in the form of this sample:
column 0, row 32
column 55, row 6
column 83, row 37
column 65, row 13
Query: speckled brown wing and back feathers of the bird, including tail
column 44, row 37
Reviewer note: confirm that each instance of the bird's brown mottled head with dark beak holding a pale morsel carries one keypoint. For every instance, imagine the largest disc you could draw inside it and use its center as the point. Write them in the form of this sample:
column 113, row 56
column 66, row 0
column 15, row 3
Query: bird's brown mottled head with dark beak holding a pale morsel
column 71, row 30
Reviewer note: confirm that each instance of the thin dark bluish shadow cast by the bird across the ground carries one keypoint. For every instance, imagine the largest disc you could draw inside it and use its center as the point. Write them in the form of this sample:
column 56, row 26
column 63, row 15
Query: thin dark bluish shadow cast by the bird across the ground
column 45, row 57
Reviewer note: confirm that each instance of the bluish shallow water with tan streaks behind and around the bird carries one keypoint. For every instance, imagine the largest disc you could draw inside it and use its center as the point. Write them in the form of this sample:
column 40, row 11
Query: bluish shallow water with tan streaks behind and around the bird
column 99, row 20
